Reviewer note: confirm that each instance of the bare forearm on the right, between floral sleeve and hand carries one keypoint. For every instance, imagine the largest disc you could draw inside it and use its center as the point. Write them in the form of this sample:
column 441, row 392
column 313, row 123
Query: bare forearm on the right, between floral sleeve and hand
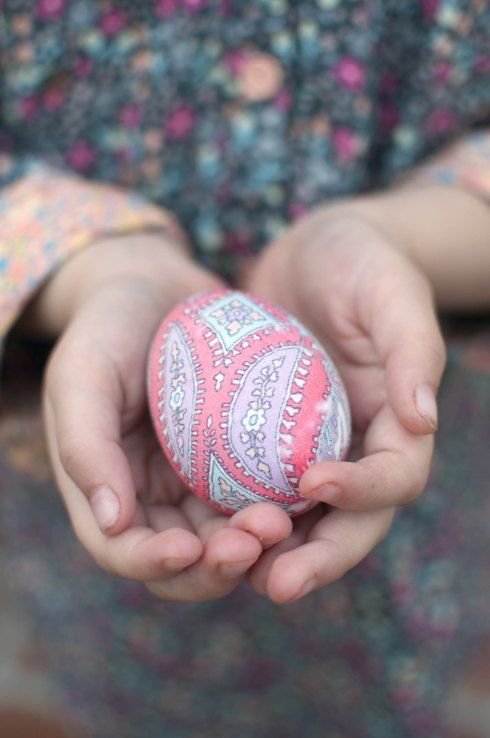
column 446, row 231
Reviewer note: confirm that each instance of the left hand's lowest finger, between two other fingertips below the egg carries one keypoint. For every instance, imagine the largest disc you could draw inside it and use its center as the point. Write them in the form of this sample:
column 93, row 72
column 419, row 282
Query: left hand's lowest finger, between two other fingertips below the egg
column 228, row 555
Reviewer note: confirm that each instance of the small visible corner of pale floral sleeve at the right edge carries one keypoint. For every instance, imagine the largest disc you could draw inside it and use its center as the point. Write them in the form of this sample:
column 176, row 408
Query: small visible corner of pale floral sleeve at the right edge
column 464, row 164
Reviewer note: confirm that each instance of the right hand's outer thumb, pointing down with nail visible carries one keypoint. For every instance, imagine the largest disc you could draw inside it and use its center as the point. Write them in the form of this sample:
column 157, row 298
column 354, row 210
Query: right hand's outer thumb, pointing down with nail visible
column 404, row 327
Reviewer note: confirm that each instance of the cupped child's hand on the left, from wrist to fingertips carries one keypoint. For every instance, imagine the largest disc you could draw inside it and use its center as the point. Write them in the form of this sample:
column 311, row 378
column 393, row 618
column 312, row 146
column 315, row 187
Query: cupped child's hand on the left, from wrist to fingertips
column 126, row 505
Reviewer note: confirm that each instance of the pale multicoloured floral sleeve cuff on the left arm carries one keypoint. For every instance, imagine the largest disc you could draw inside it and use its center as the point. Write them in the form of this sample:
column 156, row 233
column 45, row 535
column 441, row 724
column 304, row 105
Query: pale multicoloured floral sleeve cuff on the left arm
column 48, row 215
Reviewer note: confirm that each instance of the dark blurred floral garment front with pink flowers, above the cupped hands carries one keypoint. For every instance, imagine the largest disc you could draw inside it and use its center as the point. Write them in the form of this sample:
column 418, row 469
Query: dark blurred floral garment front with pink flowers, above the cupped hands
column 239, row 116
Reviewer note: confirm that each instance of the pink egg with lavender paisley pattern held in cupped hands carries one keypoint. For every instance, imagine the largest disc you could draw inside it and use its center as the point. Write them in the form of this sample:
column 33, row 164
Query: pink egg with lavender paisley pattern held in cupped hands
column 243, row 400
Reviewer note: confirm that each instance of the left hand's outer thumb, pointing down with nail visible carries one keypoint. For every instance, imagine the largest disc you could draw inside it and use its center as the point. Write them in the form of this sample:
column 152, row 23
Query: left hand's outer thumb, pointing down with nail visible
column 83, row 431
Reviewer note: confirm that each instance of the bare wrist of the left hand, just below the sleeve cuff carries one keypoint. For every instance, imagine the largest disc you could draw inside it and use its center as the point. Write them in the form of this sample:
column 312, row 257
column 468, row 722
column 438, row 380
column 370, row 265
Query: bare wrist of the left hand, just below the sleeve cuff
column 154, row 260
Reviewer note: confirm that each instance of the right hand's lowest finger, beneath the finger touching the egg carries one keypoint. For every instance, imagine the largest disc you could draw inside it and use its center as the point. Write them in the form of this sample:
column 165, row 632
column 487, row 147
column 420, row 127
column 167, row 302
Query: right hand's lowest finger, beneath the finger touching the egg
column 336, row 544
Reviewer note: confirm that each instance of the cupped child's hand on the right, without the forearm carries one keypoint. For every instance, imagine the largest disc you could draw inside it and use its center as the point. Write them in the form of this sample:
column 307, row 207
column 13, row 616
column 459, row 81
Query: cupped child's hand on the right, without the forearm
column 373, row 311
